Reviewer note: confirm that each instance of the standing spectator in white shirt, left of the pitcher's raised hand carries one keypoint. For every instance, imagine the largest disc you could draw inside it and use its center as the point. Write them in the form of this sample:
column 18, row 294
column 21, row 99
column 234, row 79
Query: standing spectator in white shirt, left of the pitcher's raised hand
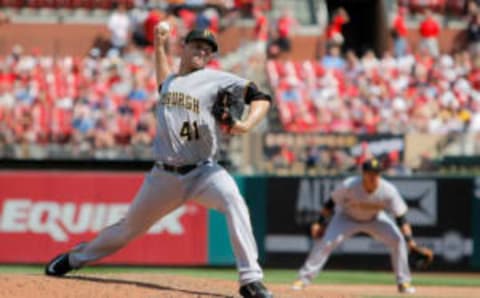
column 119, row 26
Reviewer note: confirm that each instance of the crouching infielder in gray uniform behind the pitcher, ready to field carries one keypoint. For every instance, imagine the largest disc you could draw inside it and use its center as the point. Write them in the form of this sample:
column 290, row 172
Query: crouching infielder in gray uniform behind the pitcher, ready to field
column 359, row 205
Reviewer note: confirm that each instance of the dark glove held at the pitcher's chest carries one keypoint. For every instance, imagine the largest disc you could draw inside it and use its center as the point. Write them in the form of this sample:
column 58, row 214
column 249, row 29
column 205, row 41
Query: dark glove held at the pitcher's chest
column 226, row 109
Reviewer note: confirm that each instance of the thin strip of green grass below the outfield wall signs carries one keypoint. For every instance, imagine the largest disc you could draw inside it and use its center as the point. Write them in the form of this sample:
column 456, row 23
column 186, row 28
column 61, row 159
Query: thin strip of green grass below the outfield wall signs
column 276, row 275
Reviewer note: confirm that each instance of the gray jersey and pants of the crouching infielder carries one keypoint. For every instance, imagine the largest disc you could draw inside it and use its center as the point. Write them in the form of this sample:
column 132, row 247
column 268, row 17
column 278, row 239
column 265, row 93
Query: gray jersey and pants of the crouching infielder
column 358, row 211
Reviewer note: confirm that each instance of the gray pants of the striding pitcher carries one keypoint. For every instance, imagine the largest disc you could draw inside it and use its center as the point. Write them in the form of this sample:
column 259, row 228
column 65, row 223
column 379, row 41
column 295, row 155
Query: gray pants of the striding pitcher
column 161, row 193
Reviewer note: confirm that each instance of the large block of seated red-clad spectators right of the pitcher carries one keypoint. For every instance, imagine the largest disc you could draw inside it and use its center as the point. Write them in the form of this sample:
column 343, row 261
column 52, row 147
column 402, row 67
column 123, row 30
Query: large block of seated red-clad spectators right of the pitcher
column 378, row 95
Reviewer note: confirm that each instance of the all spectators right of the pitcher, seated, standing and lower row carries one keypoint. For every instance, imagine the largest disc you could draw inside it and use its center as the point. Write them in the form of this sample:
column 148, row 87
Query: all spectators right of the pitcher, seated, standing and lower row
column 406, row 90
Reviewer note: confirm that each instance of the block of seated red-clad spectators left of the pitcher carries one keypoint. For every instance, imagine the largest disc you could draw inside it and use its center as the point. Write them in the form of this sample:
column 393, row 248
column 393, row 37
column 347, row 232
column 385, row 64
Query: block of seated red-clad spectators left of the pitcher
column 87, row 106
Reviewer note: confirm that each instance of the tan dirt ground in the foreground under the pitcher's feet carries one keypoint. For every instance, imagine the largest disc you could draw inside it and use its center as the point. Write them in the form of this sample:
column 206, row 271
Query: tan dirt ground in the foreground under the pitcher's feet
column 160, row 285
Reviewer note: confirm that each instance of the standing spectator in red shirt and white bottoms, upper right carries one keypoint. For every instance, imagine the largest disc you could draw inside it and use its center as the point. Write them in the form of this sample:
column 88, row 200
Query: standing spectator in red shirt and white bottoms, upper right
column 429, row 33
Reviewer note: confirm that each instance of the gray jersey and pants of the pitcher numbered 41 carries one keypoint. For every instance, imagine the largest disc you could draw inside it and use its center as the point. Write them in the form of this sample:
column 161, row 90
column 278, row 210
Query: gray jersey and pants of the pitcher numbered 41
column 186, row 135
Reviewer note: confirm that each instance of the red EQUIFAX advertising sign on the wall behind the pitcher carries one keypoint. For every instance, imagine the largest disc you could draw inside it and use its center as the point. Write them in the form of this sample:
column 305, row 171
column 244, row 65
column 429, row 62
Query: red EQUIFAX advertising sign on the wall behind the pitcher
column 45, row 213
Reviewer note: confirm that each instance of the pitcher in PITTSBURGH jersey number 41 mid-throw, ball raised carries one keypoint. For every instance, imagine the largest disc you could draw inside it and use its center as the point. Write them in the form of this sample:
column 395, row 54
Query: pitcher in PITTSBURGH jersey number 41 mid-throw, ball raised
column 194, row 103
